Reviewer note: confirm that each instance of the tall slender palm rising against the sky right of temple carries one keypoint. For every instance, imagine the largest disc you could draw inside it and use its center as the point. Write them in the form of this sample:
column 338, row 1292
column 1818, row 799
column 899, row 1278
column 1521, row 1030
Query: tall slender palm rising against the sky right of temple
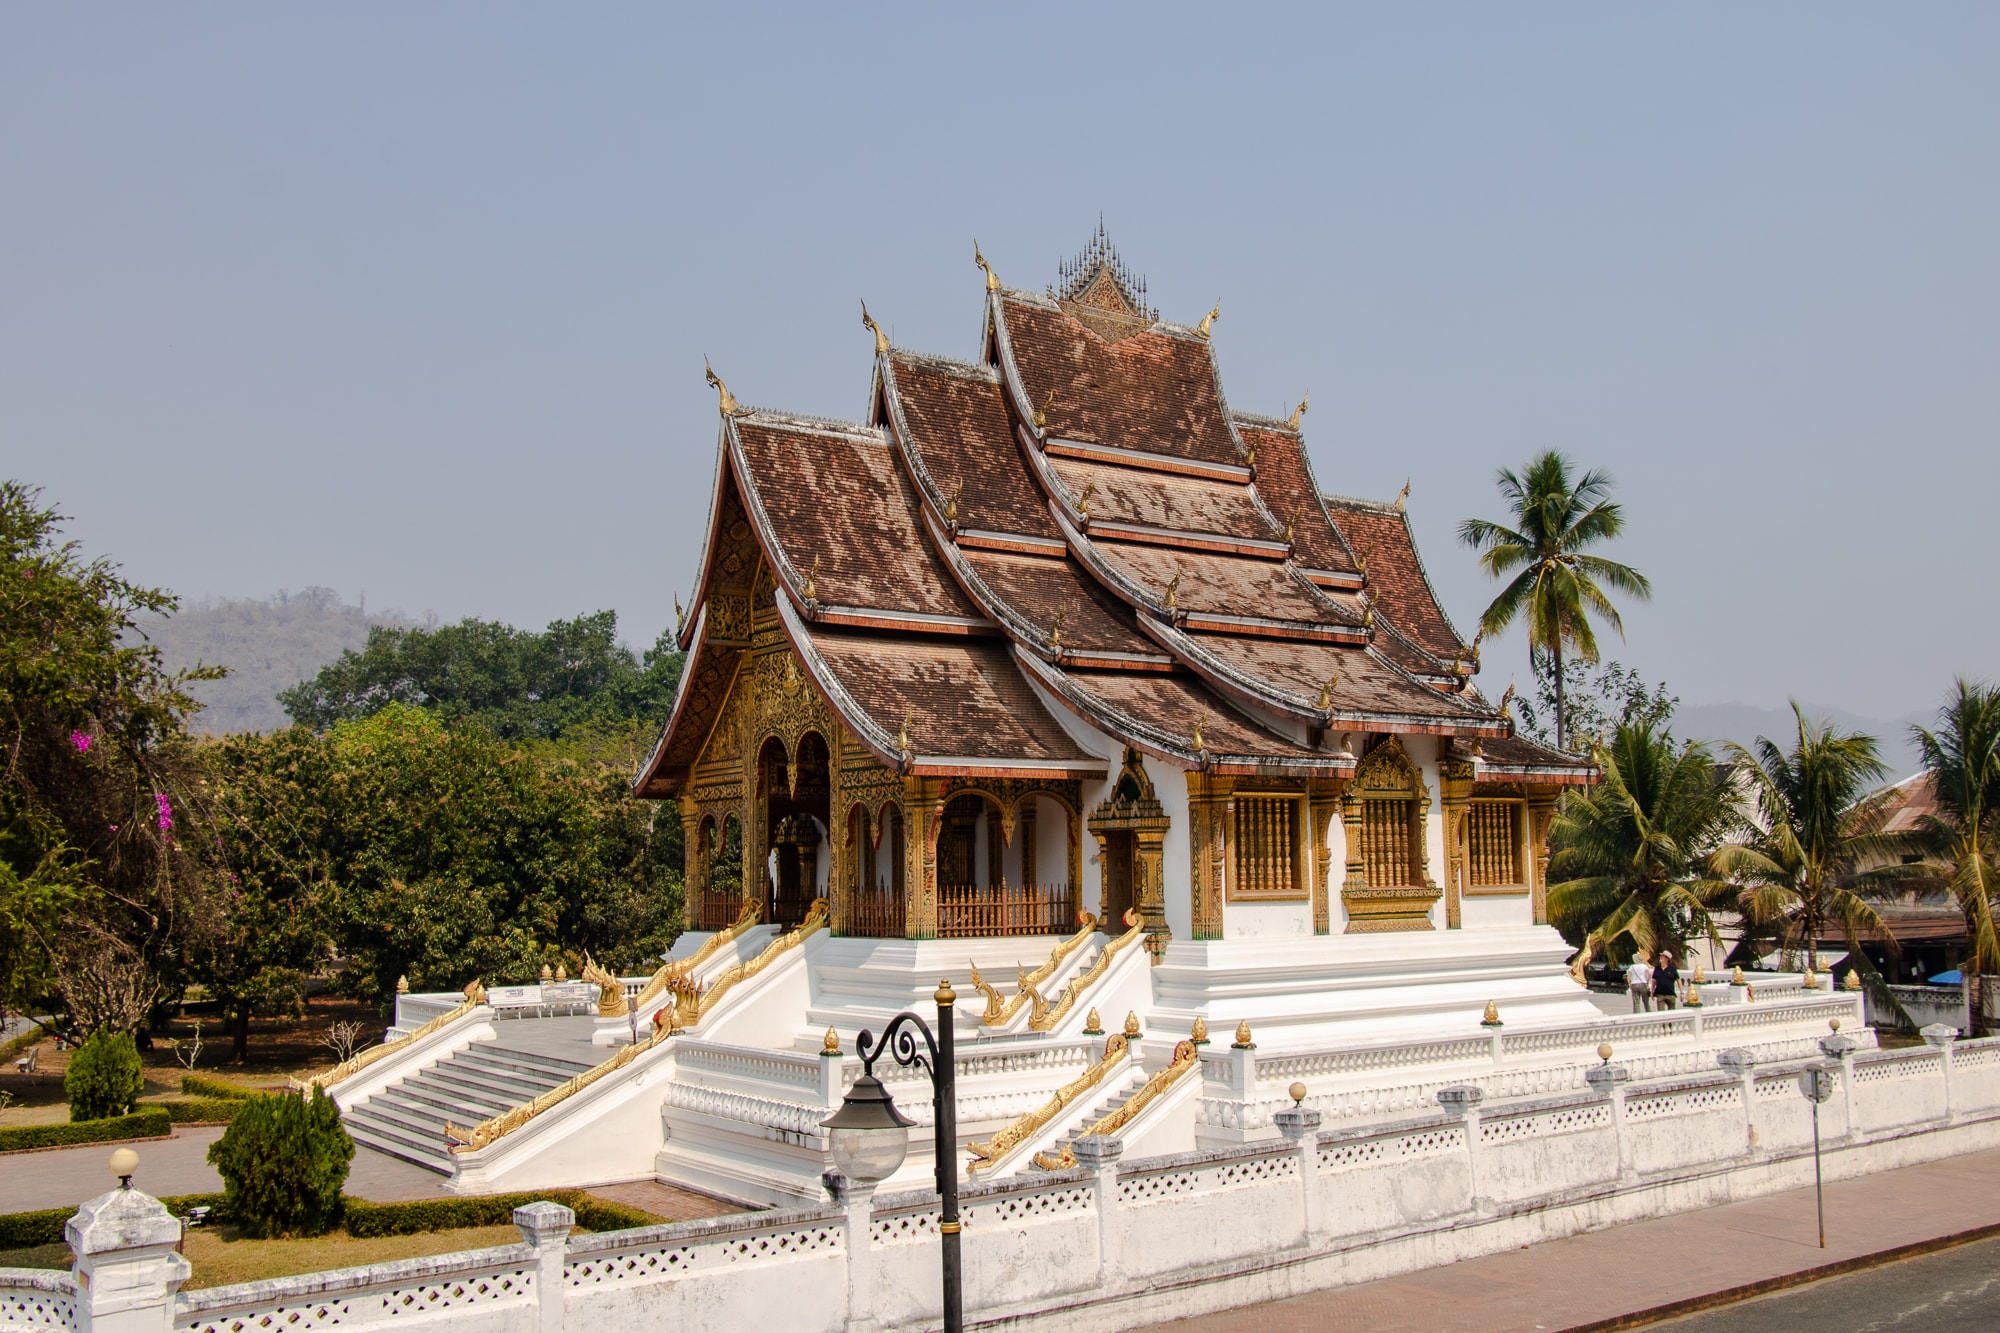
column 1557, row 585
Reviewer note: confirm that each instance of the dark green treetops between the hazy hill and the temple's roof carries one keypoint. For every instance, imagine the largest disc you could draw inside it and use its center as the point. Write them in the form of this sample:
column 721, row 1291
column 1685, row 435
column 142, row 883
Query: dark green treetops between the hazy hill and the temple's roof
column 521, row 686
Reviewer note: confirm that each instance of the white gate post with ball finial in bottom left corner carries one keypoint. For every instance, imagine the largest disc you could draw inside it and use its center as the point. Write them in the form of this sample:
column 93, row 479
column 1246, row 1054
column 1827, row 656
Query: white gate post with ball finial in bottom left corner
column 127, row 1270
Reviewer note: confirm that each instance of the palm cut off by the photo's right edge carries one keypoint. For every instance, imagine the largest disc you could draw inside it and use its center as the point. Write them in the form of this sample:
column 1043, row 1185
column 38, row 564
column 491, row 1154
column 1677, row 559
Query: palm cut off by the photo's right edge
column 1963, row 760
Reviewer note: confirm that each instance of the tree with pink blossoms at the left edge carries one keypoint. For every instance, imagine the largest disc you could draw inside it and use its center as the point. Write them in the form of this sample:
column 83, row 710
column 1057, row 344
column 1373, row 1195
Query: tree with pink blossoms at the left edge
column 97, row 772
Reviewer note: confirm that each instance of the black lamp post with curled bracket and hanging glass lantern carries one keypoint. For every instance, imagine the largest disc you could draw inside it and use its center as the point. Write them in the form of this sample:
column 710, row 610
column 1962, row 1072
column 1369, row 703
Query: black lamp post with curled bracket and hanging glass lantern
column 871, row 1136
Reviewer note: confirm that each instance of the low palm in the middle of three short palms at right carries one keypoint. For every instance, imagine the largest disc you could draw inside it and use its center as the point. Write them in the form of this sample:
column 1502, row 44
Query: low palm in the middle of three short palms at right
column 1819, row 822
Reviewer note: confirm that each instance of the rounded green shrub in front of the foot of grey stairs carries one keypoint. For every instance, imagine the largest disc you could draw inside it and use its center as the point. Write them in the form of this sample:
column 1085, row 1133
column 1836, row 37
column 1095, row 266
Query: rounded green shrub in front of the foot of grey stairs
column 283, row 1164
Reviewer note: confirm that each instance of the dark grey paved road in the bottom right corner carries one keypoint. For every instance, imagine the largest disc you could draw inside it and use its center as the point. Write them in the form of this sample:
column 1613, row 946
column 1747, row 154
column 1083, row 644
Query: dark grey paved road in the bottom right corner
column 1951, row 1290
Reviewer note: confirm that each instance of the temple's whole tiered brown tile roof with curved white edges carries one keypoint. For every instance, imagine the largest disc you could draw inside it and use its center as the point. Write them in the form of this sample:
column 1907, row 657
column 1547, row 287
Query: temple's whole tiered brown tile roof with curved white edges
column 1077, row 529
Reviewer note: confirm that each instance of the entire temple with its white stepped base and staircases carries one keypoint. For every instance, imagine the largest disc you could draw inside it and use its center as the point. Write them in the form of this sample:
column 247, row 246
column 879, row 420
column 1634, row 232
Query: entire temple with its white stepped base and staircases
column 1065, row 682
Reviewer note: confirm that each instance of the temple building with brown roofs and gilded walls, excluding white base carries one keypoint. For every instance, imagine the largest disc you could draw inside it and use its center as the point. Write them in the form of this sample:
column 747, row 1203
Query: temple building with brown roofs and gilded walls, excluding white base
column 1061, row 633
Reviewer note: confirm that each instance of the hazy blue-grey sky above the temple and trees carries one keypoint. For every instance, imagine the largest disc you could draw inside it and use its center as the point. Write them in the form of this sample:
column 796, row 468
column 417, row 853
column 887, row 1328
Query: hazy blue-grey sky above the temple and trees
column 415, row 299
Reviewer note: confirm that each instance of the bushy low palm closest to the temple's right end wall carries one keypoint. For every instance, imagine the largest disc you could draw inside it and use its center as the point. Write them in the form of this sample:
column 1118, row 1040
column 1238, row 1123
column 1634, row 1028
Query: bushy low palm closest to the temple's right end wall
column 1633, row 852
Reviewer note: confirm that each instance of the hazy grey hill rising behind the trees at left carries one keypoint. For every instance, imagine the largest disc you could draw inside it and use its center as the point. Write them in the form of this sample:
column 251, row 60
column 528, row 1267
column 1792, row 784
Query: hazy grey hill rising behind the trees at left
column 267, row 643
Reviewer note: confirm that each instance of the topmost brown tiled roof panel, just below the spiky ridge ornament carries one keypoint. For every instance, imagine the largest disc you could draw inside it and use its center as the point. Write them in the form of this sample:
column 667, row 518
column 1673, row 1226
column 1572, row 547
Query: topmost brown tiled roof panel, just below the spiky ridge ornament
column 1155, row 391
